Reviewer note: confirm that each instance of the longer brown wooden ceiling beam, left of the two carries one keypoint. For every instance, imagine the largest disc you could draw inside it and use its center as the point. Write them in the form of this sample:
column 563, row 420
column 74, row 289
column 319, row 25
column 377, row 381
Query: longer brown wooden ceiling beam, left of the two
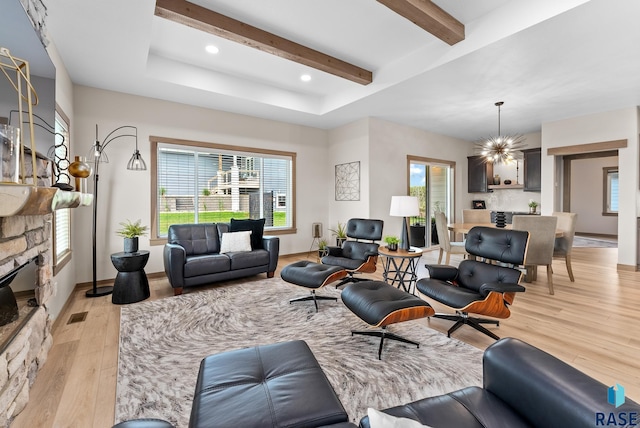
column 200, row 18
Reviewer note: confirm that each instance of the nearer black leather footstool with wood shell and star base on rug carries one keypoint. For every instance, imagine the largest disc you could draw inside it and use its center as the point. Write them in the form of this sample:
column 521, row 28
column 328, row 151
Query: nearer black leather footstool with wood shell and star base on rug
column 380, row 304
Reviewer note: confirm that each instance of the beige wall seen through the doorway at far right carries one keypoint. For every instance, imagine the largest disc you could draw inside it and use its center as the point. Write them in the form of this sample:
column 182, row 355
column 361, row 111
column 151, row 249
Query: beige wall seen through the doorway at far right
column 586, row 179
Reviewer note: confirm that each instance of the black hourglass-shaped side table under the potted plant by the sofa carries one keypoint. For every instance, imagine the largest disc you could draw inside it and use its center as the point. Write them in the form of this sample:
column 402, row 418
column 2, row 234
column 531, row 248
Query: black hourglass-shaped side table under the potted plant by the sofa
column 131, row 283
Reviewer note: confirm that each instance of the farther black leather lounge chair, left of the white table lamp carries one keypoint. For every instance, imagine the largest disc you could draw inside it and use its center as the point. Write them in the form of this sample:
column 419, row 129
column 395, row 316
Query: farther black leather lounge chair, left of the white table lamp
column 359, row 253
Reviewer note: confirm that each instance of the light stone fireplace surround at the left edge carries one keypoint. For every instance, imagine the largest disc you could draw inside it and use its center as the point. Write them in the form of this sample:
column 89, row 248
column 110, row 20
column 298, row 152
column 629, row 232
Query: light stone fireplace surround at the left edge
column 25, row 237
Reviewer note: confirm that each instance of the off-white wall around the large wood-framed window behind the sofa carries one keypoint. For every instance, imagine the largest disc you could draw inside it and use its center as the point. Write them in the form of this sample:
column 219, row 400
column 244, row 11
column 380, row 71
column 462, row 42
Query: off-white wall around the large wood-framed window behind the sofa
column 124, row 194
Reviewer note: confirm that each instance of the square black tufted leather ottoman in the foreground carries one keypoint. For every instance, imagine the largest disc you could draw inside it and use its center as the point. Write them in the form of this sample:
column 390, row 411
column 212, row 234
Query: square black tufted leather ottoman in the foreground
column 277, row 385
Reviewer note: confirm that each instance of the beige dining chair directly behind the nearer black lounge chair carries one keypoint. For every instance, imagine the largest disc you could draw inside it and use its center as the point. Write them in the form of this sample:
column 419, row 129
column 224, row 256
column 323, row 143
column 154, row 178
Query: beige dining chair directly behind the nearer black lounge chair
column 542, row 235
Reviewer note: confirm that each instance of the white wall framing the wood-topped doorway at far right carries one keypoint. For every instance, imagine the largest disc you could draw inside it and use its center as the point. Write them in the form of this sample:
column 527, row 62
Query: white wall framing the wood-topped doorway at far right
column 614, row 125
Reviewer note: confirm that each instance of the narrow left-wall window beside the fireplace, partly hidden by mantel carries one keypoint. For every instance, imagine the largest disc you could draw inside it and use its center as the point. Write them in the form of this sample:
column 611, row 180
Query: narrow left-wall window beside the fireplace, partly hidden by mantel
column 61, row 218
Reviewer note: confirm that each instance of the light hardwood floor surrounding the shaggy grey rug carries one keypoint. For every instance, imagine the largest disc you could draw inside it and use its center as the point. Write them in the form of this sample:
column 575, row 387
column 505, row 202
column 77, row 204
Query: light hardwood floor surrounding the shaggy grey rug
column 592, row 324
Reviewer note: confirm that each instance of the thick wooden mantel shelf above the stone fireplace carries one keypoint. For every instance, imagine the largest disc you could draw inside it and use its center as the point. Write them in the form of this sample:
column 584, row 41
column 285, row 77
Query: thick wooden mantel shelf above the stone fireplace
column 22, row 199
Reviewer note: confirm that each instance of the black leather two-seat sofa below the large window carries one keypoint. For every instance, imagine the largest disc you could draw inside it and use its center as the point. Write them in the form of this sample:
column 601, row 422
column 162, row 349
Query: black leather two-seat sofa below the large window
column 192, row 256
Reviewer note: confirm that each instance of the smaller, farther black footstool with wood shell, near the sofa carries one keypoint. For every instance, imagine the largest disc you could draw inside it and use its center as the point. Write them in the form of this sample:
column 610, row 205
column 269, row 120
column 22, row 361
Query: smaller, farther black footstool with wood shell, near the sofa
column 312, row 276
